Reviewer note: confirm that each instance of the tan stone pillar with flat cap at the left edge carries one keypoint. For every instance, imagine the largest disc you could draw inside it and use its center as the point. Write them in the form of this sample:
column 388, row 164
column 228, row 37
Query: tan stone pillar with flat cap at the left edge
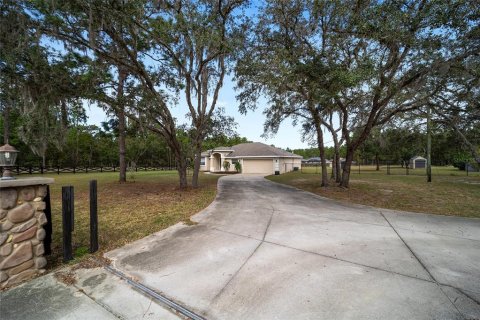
column 21, row 229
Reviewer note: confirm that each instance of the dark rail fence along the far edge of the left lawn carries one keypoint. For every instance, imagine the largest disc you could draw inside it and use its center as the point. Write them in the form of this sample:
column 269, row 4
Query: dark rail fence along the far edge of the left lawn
column 58, row 170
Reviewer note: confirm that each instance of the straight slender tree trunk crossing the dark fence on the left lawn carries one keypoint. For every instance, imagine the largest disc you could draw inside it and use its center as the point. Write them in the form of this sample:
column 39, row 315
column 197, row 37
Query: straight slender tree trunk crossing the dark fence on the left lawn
column 121, row 127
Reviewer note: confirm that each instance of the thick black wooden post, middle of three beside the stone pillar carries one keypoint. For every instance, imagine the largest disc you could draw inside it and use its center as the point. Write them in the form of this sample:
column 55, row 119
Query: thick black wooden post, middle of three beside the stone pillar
column 67, row 217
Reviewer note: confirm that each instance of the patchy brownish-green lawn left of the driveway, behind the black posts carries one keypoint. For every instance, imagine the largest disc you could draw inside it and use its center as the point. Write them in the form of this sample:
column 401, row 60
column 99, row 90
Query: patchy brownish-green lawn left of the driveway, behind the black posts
column 148, row 202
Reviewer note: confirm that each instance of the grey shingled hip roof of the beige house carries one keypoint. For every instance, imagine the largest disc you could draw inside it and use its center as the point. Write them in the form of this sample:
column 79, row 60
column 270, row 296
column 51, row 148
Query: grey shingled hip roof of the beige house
column 258, row 149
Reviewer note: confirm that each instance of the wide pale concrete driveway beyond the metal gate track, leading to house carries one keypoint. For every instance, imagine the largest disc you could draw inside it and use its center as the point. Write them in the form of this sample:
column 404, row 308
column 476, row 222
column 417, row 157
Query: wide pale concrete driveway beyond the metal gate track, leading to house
column 267, row 251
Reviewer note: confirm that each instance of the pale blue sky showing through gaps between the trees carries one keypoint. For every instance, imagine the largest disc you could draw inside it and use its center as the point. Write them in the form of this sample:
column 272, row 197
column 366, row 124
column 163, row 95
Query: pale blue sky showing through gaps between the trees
column 249, row 125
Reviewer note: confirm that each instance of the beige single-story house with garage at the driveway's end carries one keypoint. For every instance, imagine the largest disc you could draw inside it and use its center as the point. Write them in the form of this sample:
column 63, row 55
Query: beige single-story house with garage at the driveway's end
column 256, row 158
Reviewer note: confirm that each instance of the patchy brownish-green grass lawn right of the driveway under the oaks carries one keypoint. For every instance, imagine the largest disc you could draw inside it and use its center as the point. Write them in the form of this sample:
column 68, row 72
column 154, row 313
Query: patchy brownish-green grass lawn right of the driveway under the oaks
column 451, row 191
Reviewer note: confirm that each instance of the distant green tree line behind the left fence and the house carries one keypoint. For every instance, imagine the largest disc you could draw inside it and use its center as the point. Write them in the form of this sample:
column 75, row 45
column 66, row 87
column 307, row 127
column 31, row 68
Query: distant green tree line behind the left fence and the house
column 90, row 145
